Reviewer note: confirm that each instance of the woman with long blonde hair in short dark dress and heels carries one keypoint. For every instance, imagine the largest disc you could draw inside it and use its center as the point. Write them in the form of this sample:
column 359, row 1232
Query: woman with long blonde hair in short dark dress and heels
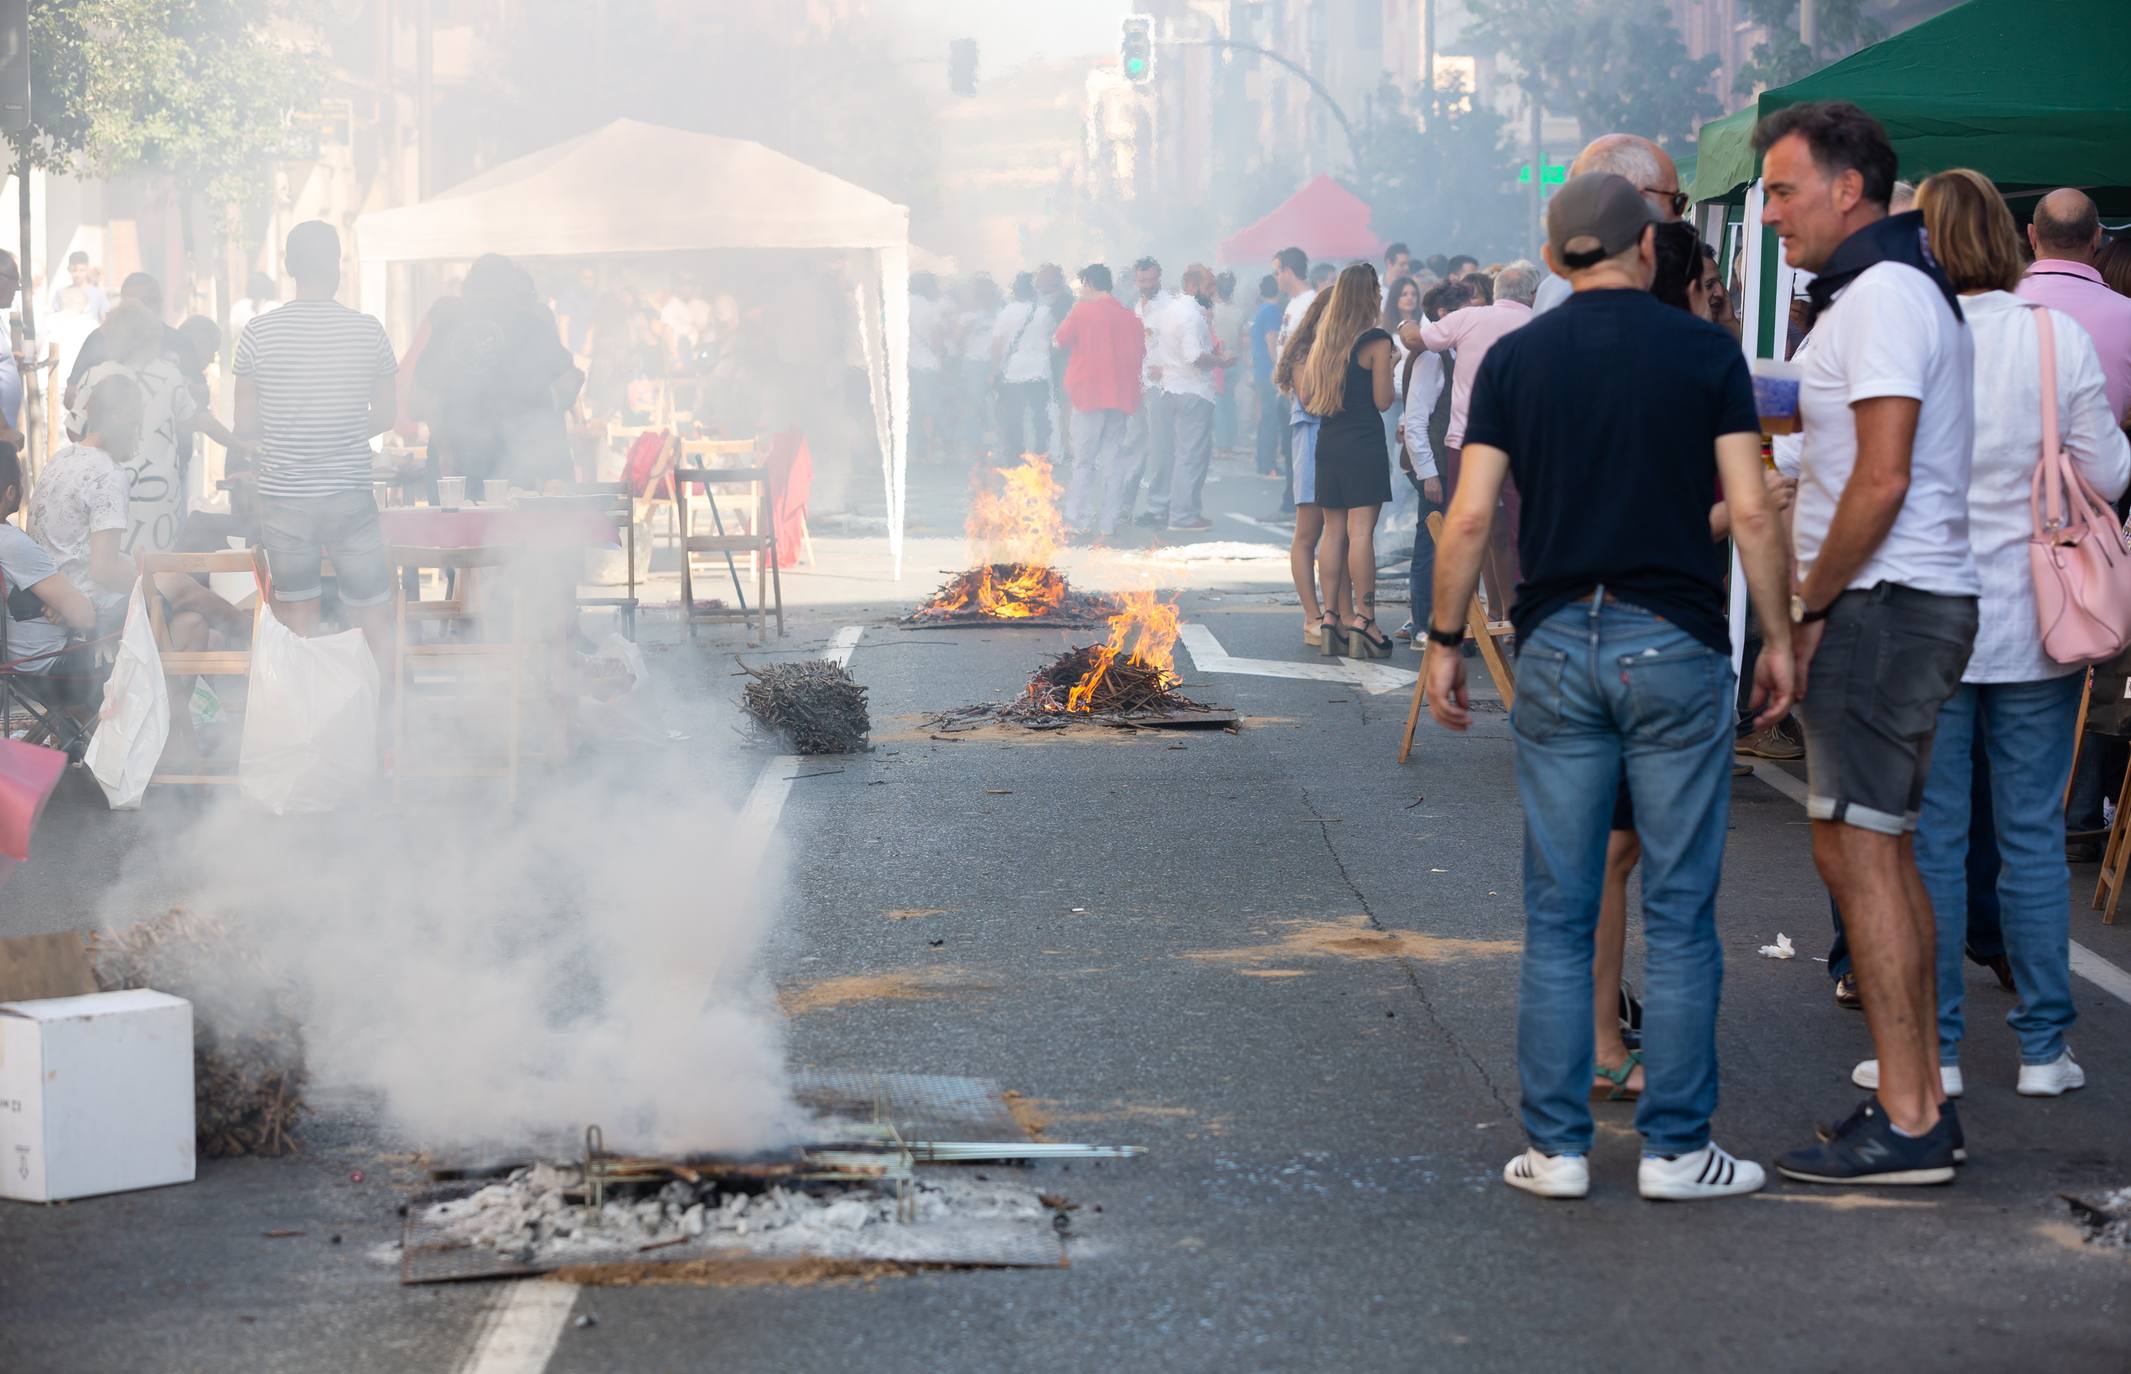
column 1348, row 385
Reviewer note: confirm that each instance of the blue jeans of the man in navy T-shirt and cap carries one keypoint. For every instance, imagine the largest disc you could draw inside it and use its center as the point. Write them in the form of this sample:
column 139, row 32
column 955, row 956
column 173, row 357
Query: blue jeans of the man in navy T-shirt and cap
column 1601, row 689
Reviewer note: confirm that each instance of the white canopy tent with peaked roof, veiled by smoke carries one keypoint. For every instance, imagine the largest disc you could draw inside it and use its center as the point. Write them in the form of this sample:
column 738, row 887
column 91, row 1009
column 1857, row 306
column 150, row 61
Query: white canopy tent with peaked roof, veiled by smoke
column 647, row 189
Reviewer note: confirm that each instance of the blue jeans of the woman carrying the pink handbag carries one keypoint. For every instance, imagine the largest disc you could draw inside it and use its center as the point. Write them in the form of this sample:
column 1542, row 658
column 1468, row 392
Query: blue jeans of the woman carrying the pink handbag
column 2026, row 732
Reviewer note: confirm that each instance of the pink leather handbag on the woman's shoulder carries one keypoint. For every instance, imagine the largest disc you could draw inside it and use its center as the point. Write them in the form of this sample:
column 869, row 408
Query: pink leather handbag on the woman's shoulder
column 2079, row 553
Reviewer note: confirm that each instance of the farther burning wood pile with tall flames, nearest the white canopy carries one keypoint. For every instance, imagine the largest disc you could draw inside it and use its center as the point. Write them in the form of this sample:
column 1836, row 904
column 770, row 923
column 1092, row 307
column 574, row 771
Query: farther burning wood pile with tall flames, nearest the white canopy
column 1015, row 536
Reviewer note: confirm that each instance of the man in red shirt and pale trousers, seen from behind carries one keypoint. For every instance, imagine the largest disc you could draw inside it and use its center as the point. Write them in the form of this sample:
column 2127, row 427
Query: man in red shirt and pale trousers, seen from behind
column 1105, row 346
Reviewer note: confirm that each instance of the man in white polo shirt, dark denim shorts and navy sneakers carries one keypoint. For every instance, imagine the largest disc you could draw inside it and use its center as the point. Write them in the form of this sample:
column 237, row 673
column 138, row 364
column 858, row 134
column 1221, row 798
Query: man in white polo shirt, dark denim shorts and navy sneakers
column 1885, row 604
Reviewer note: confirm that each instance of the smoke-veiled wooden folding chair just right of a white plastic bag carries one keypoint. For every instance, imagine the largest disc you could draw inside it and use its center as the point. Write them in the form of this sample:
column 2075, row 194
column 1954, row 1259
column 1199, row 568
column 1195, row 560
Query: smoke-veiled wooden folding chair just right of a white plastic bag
column 455, row 661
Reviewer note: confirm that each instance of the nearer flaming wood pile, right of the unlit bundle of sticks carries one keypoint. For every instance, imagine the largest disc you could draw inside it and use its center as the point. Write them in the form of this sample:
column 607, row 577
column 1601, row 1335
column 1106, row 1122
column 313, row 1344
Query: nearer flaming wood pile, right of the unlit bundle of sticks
column 1128, row 681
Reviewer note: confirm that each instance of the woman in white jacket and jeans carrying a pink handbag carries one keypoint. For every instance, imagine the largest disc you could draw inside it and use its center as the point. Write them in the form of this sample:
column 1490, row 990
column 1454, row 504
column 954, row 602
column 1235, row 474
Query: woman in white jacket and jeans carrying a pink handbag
column 2049, row 463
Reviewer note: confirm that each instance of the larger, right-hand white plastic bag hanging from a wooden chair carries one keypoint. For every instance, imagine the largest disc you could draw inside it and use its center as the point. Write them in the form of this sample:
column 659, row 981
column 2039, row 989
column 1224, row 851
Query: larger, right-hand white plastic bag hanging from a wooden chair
column 310, row 721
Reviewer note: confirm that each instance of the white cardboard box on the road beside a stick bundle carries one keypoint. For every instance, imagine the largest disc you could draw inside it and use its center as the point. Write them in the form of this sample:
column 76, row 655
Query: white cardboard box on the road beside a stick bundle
column 95, row 1094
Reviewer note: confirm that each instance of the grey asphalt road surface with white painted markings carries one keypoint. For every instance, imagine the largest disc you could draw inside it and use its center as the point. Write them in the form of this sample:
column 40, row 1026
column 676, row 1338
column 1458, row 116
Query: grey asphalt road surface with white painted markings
column 1275, row 960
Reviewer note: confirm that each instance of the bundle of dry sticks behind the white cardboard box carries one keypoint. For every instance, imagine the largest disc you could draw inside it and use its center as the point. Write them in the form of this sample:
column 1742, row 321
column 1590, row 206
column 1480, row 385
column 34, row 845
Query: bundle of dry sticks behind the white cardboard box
column 248, row 1075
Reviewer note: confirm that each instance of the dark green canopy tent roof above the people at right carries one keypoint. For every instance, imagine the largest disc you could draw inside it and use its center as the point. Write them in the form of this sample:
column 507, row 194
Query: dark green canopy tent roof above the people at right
column 2030, row 93
